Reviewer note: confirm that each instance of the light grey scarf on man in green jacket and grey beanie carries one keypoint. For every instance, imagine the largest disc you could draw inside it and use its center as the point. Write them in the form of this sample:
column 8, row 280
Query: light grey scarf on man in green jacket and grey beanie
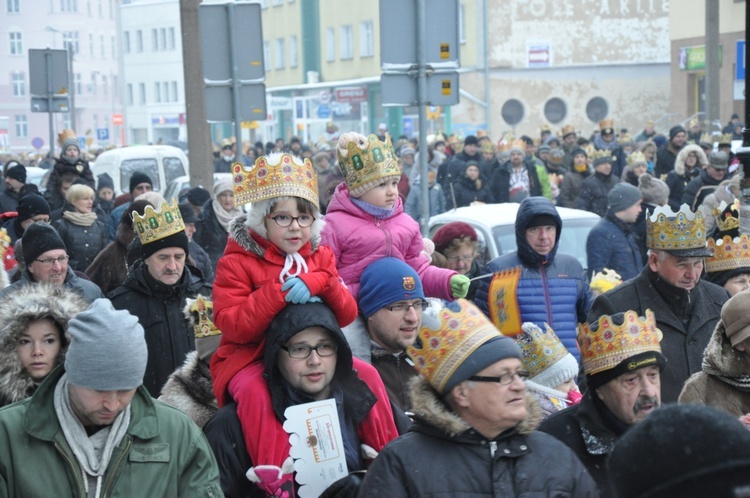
column 92, row 452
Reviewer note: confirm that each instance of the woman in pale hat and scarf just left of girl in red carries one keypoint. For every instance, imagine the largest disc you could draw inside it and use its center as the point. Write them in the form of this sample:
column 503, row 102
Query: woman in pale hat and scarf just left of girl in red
column 214, row 223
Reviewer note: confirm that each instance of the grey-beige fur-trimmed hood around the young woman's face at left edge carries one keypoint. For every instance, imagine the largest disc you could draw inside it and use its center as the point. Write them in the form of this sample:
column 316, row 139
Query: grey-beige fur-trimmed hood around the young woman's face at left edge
column 17, row 309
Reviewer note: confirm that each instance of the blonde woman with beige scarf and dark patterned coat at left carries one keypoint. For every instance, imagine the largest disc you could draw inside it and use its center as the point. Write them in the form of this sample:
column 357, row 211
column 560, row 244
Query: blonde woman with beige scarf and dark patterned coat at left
column 81, row 230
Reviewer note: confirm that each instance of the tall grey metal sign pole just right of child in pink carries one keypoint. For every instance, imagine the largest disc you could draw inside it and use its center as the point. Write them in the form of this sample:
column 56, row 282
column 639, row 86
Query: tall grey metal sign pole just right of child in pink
column 421, row 101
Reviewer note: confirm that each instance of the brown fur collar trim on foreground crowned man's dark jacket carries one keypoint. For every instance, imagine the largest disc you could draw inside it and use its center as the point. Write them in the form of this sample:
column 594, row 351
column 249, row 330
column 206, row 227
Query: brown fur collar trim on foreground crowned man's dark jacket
column 427, row 406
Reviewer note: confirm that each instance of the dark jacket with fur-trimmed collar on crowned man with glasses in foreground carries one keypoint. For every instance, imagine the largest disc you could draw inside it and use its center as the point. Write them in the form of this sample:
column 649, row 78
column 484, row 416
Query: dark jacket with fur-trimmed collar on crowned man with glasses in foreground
column 456, row 460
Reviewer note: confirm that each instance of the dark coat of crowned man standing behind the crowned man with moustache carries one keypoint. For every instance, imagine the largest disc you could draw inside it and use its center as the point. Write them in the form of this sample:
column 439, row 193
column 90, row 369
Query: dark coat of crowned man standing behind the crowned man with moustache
column 686, row 319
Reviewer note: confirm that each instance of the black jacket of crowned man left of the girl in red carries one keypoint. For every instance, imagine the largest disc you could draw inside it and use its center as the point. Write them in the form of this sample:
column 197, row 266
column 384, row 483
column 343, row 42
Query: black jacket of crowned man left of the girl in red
column 159, row 310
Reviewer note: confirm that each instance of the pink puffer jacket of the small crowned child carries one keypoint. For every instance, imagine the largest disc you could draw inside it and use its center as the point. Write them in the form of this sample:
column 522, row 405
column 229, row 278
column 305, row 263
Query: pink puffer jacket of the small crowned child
column 358, row 239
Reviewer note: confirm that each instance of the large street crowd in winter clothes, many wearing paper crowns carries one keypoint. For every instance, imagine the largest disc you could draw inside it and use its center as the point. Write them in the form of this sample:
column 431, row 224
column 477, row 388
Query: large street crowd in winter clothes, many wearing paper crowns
column 166, row 347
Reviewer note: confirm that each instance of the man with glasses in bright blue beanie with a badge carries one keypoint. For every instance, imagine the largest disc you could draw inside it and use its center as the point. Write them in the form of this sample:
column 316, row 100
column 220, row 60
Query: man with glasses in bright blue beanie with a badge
column 392, row 301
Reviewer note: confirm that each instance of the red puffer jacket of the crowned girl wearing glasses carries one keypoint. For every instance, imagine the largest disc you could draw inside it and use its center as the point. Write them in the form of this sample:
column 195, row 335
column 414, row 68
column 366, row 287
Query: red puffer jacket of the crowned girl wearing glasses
column 247, row 295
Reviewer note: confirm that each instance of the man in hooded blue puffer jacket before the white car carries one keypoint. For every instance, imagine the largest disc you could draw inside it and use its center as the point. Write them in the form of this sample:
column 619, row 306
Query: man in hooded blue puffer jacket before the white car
column 548, row 287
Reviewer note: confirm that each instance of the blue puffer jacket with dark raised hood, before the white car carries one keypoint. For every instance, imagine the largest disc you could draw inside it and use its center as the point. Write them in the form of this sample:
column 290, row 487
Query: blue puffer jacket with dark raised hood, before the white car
column 552, row 289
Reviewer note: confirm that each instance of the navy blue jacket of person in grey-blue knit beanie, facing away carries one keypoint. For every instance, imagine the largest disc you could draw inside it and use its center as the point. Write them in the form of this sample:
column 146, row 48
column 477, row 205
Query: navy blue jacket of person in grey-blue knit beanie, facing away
column 611, row 244
